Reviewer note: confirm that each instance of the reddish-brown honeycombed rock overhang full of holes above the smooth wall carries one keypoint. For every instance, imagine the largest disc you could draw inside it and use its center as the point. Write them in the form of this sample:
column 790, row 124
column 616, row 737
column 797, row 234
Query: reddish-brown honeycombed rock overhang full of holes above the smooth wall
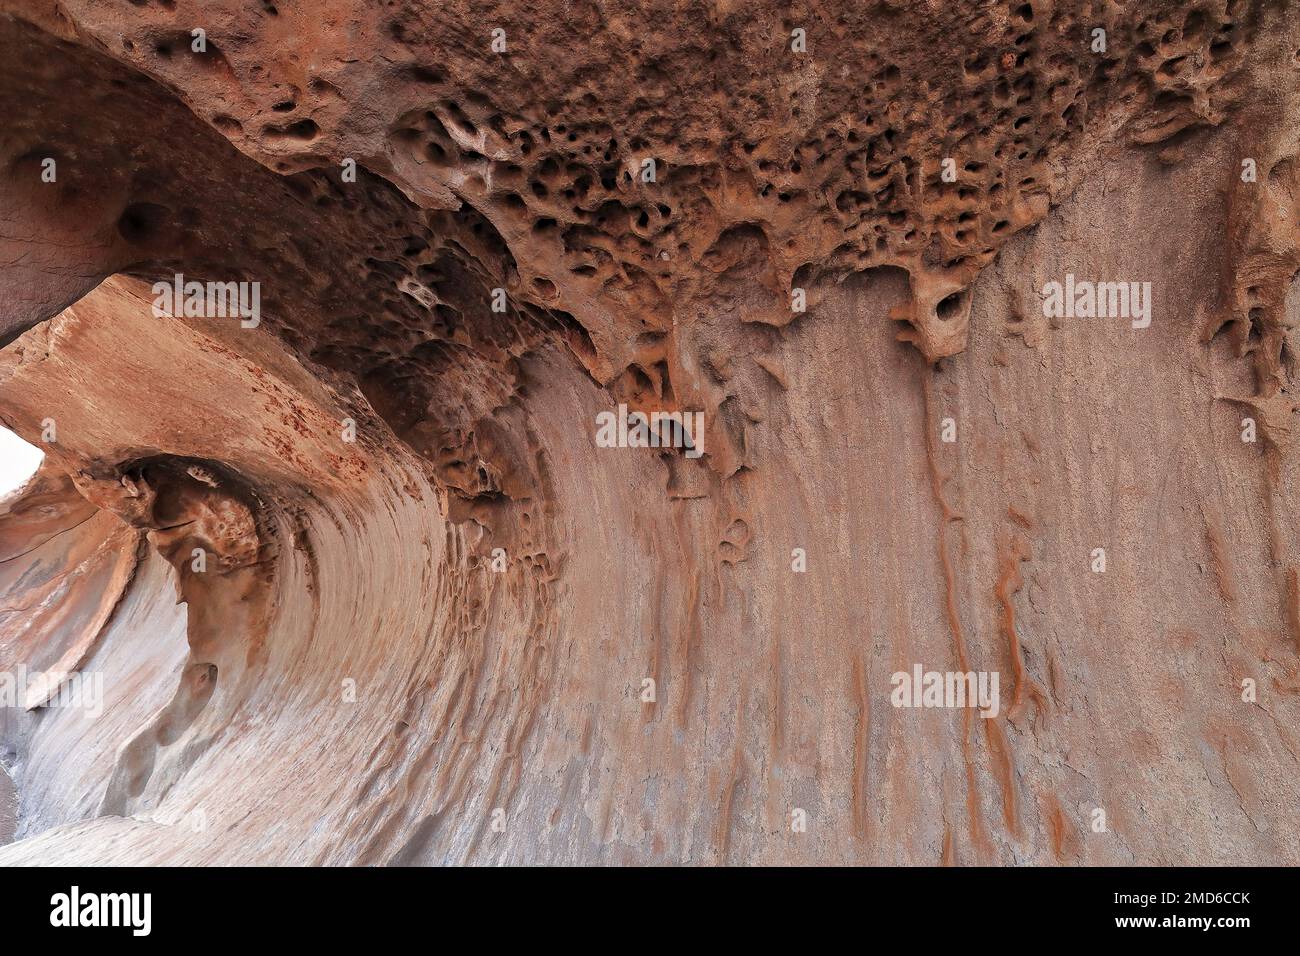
column 625, row 184
